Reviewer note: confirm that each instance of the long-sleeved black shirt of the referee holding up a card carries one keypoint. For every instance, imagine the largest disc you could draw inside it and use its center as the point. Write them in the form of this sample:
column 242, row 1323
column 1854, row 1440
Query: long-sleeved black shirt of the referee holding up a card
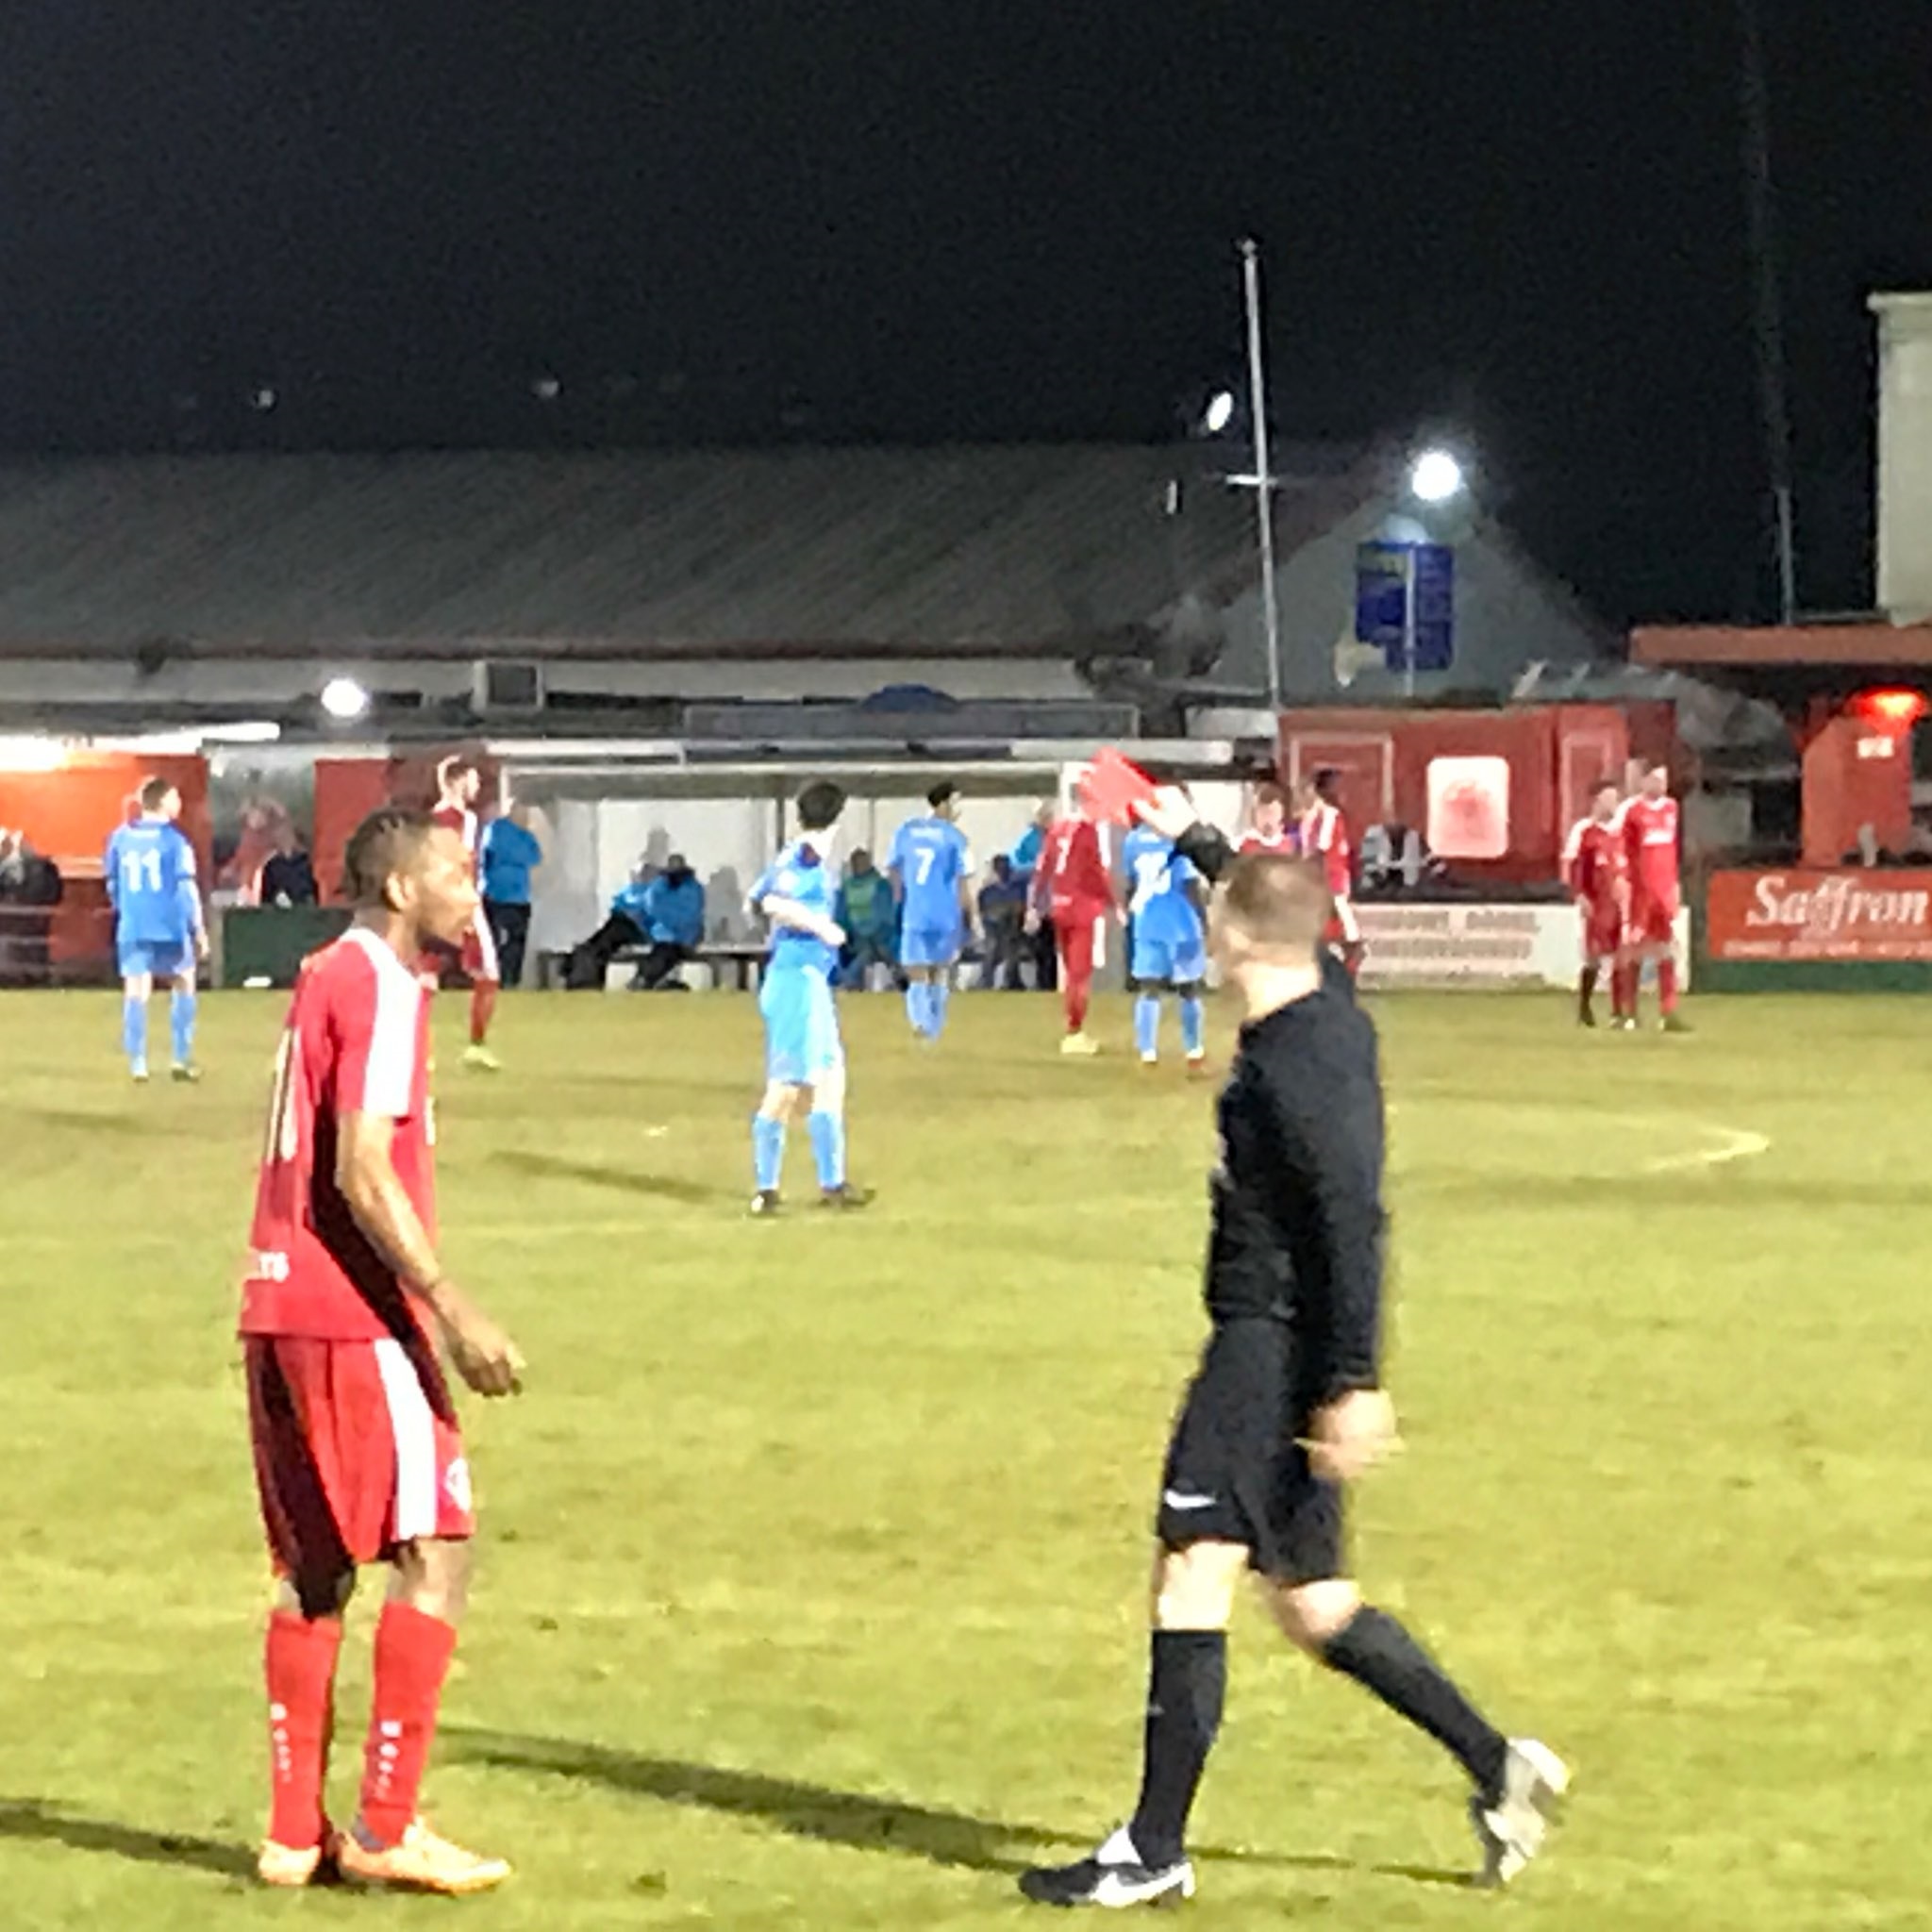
column 1297, row 1201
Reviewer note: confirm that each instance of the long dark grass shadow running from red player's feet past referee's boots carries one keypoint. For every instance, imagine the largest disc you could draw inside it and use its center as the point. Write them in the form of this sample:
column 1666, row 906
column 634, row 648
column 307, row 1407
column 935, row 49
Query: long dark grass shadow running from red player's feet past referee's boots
column 861, row 1821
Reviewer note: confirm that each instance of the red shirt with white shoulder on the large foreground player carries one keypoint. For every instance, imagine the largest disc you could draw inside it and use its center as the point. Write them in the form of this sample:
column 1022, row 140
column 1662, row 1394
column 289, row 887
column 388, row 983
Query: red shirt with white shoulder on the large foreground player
column 356, row 1042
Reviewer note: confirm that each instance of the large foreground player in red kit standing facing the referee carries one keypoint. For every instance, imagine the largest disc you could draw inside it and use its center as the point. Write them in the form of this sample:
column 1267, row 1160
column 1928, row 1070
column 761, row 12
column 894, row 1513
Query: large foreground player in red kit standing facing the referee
column 358, row 1454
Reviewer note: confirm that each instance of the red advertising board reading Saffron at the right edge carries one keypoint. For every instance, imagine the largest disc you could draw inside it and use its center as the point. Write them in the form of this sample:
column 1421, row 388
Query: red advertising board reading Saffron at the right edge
column 1821, row 915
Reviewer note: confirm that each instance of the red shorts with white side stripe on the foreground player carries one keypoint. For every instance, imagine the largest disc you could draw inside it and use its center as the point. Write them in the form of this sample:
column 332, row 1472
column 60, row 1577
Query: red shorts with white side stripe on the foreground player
column 356, row 1452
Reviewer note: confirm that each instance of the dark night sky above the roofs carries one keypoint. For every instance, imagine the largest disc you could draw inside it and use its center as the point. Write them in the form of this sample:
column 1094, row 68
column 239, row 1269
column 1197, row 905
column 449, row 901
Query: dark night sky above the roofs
column 953, row 219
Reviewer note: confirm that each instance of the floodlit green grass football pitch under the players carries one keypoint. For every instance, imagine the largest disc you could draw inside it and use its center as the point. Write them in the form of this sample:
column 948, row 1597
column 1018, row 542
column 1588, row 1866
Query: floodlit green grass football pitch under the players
column 812, row 1576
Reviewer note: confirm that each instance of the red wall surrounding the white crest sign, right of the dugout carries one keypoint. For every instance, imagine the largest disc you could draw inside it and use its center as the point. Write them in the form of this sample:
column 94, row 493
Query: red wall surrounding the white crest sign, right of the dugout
column 1556, row 754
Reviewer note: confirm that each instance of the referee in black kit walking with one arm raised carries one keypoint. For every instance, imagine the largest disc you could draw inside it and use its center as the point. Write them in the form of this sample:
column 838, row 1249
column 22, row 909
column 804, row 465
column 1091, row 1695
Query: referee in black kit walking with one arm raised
column 1288, row 1406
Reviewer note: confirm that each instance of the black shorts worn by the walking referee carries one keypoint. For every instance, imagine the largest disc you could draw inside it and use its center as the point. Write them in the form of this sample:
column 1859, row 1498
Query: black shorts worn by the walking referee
column 1236, row 1471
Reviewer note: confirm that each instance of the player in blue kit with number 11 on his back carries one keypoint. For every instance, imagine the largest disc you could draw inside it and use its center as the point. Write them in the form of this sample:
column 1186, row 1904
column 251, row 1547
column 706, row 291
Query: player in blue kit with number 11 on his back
column 157, row 924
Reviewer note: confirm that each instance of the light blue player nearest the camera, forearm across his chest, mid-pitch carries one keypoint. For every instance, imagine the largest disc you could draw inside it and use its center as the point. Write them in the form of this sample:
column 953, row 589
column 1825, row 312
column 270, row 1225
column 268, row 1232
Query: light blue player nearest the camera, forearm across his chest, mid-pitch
column 805, row 1058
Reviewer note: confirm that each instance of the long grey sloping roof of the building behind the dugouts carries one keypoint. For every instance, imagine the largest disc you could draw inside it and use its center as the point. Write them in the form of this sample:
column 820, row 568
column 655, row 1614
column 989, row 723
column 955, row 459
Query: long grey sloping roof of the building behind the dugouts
column 880, row 550
